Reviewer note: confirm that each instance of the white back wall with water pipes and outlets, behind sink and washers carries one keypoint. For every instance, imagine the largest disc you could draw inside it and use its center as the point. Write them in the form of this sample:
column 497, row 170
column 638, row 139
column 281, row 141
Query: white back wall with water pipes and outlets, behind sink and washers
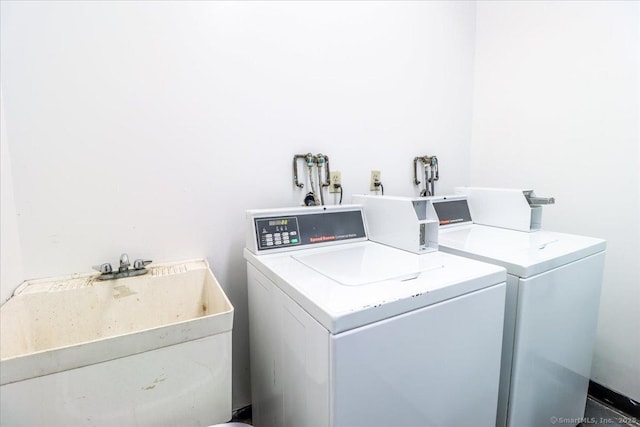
column 149, row 127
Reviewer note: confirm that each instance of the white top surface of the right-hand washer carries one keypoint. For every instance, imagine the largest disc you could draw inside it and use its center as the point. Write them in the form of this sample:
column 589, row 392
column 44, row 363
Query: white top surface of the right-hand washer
column 523, row 254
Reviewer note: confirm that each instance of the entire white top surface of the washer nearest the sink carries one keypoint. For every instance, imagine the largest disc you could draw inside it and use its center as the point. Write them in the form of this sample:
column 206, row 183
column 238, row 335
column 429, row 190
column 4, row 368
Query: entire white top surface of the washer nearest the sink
column 324, row 281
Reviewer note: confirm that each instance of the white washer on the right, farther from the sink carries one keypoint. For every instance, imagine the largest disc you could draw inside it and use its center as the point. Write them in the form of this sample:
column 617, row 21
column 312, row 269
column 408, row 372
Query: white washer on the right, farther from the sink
column 553, row 296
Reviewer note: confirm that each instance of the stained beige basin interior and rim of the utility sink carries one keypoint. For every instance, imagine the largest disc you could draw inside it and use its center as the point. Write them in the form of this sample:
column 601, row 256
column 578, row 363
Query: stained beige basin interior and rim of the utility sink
column 52, row 322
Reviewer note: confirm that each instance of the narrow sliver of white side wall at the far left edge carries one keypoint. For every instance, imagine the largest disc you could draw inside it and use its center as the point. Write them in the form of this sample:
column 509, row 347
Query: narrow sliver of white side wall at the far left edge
column 10, row 253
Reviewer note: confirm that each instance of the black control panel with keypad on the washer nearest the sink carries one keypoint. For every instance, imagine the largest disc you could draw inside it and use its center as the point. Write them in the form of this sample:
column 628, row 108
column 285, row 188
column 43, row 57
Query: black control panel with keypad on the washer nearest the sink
column 308, row 229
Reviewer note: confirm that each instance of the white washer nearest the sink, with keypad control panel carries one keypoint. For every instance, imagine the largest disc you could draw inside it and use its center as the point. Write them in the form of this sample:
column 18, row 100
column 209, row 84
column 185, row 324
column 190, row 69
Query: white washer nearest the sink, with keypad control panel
column 348, row 332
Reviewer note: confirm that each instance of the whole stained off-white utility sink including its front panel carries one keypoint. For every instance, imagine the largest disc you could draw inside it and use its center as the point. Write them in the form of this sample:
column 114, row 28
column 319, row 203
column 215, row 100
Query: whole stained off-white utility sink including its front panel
column 53, row 327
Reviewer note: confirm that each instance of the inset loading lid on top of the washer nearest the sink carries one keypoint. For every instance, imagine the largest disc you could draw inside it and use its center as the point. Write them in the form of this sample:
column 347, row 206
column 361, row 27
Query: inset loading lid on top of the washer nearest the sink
column 361, row 265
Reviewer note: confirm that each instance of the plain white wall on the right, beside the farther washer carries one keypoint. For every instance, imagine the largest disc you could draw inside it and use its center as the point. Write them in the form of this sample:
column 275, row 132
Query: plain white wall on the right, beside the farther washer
column 556, row 110
